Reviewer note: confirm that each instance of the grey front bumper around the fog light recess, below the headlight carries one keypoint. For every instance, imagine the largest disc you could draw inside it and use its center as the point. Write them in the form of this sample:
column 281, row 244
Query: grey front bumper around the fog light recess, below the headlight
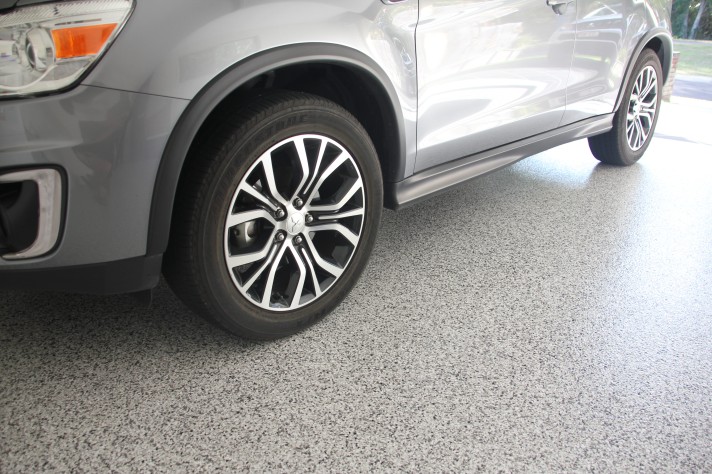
column 107, row 145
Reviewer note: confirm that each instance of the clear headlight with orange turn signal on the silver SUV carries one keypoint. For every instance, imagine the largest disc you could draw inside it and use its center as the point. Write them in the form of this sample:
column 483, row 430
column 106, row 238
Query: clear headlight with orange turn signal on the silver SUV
column 48, row 47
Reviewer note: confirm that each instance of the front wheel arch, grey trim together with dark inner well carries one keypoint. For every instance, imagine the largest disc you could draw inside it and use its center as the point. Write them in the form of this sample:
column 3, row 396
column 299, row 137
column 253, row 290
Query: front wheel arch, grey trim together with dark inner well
column 341, row 74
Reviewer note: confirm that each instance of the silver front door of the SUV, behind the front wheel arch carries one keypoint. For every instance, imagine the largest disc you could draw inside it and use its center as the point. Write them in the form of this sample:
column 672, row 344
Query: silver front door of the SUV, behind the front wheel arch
column 489, row 72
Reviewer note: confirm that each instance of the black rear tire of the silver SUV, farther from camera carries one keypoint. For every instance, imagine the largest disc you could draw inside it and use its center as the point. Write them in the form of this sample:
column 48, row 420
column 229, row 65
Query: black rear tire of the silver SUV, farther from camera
column 617, row 147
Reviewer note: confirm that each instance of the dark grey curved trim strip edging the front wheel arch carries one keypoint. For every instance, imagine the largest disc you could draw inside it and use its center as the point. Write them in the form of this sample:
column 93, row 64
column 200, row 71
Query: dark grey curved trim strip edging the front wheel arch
column 220, row 87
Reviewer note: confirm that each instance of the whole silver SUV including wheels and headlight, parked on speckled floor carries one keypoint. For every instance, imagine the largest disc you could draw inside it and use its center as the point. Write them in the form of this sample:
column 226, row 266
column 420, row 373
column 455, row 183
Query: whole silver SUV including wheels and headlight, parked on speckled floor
column 245, row 149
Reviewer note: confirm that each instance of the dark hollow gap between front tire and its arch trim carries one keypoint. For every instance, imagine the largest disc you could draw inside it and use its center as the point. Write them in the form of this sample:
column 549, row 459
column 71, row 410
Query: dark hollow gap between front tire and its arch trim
column 356, row 91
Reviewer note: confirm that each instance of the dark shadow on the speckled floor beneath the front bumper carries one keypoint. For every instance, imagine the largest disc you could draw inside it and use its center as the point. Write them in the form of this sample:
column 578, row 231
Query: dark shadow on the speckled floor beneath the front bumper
column 71, row 323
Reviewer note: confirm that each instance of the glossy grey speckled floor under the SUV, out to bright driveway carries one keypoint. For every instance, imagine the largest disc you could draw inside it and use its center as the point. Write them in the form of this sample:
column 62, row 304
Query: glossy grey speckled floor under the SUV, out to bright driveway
column 553, row 316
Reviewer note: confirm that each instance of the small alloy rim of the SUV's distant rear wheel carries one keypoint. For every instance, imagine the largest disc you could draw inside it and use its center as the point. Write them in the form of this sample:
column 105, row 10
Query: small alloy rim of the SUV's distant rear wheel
column 642, row 108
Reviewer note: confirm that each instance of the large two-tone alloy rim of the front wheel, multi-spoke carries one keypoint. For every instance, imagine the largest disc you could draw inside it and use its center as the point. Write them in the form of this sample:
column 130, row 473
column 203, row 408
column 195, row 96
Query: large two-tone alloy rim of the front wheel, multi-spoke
column 294, row 222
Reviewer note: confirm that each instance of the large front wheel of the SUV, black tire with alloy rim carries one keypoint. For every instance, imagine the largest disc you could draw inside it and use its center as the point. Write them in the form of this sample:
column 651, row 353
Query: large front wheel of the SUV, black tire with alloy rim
column 227, row 178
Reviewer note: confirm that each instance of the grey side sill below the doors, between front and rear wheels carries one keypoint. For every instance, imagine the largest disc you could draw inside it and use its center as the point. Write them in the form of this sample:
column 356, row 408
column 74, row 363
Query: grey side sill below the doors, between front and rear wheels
column 441, row 178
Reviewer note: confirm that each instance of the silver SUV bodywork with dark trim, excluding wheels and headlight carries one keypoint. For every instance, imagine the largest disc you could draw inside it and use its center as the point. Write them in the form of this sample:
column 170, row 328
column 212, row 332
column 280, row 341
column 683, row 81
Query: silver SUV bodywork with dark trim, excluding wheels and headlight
column 445, row 90
